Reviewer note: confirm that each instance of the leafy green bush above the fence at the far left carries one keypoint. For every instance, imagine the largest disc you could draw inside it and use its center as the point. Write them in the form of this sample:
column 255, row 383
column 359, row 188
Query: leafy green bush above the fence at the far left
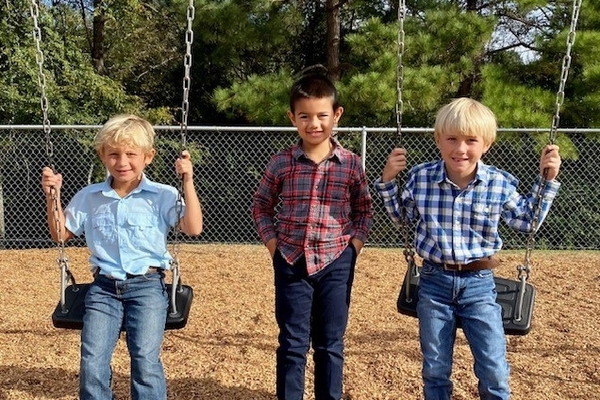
column 76, row 94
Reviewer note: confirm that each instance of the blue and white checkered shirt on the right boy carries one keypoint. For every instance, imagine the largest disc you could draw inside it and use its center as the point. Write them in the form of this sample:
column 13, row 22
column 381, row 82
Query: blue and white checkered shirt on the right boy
column 457, row 226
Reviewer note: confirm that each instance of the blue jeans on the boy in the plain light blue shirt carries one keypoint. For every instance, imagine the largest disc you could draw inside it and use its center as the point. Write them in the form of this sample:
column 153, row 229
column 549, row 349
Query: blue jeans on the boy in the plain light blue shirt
column 144, row 302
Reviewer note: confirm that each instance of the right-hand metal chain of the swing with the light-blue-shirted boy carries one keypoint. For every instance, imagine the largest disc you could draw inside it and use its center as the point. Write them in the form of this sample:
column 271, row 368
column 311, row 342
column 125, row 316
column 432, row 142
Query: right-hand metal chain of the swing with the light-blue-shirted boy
column 185, row 107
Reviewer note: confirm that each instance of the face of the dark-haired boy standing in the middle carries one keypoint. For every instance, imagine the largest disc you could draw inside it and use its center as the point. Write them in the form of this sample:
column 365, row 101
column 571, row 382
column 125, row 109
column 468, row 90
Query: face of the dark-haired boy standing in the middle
column 315, row 119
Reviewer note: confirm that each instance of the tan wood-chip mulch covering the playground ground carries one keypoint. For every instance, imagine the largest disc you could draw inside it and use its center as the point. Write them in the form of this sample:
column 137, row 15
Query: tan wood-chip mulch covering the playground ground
column 227, row 349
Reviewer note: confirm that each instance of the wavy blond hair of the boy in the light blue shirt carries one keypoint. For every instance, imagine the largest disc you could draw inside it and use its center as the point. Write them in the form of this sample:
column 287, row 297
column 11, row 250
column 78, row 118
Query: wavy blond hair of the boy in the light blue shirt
column 125, row 130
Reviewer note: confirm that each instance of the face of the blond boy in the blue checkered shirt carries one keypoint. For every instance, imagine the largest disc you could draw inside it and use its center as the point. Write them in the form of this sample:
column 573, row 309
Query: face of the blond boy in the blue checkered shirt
column 461, row 154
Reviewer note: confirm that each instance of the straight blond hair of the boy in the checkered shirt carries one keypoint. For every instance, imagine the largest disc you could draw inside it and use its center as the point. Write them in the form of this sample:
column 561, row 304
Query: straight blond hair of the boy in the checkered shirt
column 468, row 117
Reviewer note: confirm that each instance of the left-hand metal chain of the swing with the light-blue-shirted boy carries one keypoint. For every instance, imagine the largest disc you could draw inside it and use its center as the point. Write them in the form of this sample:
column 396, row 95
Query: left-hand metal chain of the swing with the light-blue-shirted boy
column 62, row 260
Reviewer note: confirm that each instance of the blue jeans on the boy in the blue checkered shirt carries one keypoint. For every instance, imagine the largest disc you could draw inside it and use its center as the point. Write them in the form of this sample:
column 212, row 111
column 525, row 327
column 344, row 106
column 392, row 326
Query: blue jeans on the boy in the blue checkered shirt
column 446, row 297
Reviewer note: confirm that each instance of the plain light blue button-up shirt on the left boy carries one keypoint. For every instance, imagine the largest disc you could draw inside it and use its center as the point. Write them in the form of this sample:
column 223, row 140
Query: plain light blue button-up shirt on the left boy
column 125, row 235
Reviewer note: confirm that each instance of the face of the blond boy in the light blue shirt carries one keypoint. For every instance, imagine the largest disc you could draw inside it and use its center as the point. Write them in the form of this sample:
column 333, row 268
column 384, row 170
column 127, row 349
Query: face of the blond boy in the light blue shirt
column 125, row 164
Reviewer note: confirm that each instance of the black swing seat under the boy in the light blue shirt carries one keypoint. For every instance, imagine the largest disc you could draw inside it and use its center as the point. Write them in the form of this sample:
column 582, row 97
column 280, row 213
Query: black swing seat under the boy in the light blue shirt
column 72, row 318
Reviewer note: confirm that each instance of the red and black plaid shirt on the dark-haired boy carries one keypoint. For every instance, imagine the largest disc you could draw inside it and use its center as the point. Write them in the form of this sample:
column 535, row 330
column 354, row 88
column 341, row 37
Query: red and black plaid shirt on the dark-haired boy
column 322, row 206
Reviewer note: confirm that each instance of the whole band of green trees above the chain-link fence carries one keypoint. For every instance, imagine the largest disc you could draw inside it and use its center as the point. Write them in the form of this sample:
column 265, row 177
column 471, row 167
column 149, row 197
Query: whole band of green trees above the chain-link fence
column 245, row 55
